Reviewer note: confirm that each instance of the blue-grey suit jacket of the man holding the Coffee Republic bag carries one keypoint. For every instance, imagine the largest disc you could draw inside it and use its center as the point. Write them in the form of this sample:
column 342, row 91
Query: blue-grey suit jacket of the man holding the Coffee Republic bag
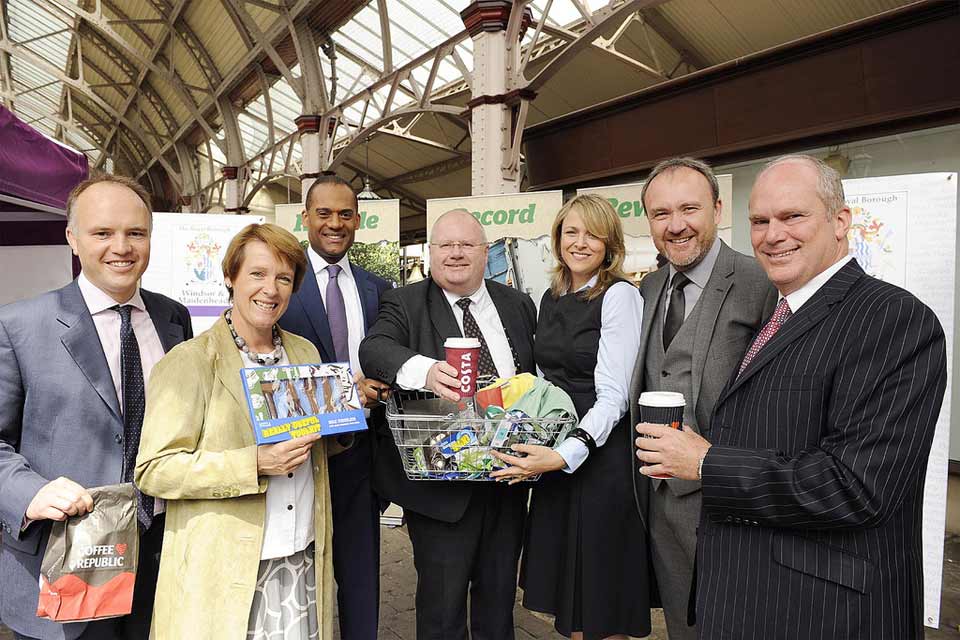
column 59, row 416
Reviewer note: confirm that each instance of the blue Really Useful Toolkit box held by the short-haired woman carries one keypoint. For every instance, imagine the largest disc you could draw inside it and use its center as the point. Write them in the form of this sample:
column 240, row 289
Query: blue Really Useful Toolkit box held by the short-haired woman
column 290, row 401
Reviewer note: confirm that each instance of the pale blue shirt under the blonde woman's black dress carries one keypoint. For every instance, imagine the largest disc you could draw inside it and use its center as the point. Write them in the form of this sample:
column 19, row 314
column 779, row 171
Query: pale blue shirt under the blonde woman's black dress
column 621, row 316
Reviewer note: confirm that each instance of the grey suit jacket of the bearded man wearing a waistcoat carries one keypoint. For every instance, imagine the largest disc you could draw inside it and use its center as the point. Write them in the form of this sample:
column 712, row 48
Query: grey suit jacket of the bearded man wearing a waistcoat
column 736, row 302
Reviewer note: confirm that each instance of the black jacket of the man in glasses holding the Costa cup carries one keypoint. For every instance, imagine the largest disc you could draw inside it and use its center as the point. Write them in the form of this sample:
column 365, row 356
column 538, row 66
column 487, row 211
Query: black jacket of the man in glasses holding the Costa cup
column 417, row 319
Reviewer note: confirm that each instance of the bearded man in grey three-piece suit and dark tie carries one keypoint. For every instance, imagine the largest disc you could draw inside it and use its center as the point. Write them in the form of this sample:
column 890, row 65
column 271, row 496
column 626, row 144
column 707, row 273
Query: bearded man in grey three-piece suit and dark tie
column 701, row 310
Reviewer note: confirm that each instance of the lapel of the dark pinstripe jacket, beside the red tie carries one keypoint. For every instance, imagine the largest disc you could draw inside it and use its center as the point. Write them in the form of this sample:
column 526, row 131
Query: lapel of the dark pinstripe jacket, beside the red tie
column 811, row 313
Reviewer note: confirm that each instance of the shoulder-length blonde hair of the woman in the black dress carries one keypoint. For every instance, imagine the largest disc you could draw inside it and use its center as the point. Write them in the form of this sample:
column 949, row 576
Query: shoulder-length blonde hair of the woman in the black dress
column 602, row 221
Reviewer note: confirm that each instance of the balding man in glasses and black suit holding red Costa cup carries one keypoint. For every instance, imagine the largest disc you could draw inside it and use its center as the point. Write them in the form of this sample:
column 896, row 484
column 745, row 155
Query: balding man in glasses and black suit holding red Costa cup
column 466, row 535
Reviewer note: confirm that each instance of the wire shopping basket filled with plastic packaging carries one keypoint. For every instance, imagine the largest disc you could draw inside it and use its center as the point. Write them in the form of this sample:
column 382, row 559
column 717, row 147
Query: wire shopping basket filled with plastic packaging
column 436, row 442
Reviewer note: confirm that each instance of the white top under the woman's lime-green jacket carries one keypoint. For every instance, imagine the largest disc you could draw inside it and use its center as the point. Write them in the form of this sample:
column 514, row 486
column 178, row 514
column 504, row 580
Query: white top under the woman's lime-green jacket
column 288, row 526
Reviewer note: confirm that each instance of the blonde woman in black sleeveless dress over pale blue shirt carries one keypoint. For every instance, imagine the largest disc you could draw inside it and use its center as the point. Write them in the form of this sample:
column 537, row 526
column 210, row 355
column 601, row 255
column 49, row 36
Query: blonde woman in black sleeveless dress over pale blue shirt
column 585, row 553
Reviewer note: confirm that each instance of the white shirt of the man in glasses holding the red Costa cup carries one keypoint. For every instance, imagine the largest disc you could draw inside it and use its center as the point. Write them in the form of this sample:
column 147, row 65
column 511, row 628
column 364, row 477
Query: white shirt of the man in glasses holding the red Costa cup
column 413, row 373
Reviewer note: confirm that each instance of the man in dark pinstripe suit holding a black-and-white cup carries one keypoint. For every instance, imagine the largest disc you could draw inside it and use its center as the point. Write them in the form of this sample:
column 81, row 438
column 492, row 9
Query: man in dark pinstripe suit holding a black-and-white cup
column 813, row 467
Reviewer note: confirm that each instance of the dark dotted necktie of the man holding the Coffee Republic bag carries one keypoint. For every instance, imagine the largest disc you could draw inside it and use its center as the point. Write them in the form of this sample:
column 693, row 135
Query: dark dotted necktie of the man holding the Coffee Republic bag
column 134, row 403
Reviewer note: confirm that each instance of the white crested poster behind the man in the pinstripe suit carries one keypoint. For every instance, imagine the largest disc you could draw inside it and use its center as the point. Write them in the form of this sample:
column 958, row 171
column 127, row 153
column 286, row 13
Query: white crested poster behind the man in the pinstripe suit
column 891, row 238
